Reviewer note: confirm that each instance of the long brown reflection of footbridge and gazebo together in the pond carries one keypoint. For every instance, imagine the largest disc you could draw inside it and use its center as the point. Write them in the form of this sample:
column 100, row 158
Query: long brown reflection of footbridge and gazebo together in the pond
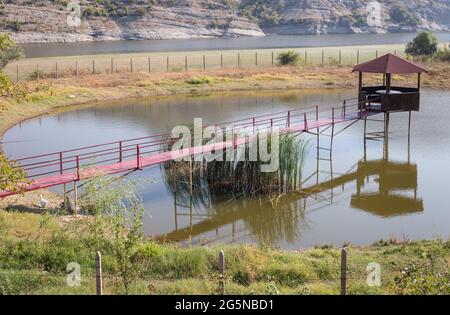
column 396, row 195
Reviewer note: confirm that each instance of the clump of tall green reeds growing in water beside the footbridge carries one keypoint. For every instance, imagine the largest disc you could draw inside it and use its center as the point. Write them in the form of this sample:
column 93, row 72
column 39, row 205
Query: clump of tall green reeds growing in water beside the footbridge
column 217, row 180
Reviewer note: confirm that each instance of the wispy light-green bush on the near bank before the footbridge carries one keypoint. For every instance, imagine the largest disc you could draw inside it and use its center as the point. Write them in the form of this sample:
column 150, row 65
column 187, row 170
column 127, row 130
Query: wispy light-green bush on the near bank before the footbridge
column 118, row 220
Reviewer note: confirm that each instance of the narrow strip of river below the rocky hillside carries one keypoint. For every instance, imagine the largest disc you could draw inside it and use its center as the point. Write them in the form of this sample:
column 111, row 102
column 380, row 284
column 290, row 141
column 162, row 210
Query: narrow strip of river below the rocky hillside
column 273, row 41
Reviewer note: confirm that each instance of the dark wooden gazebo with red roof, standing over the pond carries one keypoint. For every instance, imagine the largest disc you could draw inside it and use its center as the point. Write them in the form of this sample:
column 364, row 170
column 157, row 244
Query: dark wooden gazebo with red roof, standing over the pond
column 388, row 98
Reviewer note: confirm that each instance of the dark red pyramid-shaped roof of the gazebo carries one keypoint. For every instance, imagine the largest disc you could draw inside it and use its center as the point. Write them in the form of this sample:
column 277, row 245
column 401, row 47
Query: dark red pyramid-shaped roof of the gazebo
column 390, row 64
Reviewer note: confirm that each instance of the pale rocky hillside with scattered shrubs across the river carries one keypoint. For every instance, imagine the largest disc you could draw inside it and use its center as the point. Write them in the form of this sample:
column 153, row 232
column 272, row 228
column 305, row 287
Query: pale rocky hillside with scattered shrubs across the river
column 56, row 20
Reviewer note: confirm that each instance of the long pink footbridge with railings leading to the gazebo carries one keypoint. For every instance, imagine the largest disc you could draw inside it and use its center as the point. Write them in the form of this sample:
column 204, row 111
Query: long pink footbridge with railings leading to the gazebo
column 57, row 168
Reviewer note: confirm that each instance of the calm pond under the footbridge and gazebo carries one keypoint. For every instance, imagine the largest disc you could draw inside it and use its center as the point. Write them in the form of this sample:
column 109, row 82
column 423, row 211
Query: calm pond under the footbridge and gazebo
column 387, row 190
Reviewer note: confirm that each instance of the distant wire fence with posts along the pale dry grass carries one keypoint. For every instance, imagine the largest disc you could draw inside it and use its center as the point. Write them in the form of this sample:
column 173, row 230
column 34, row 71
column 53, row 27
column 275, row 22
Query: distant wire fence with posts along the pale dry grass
column 36, row 69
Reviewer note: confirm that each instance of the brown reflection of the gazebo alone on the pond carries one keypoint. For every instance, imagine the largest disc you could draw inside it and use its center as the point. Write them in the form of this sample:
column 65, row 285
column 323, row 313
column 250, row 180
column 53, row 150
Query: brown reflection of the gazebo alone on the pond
column 393, row 178
